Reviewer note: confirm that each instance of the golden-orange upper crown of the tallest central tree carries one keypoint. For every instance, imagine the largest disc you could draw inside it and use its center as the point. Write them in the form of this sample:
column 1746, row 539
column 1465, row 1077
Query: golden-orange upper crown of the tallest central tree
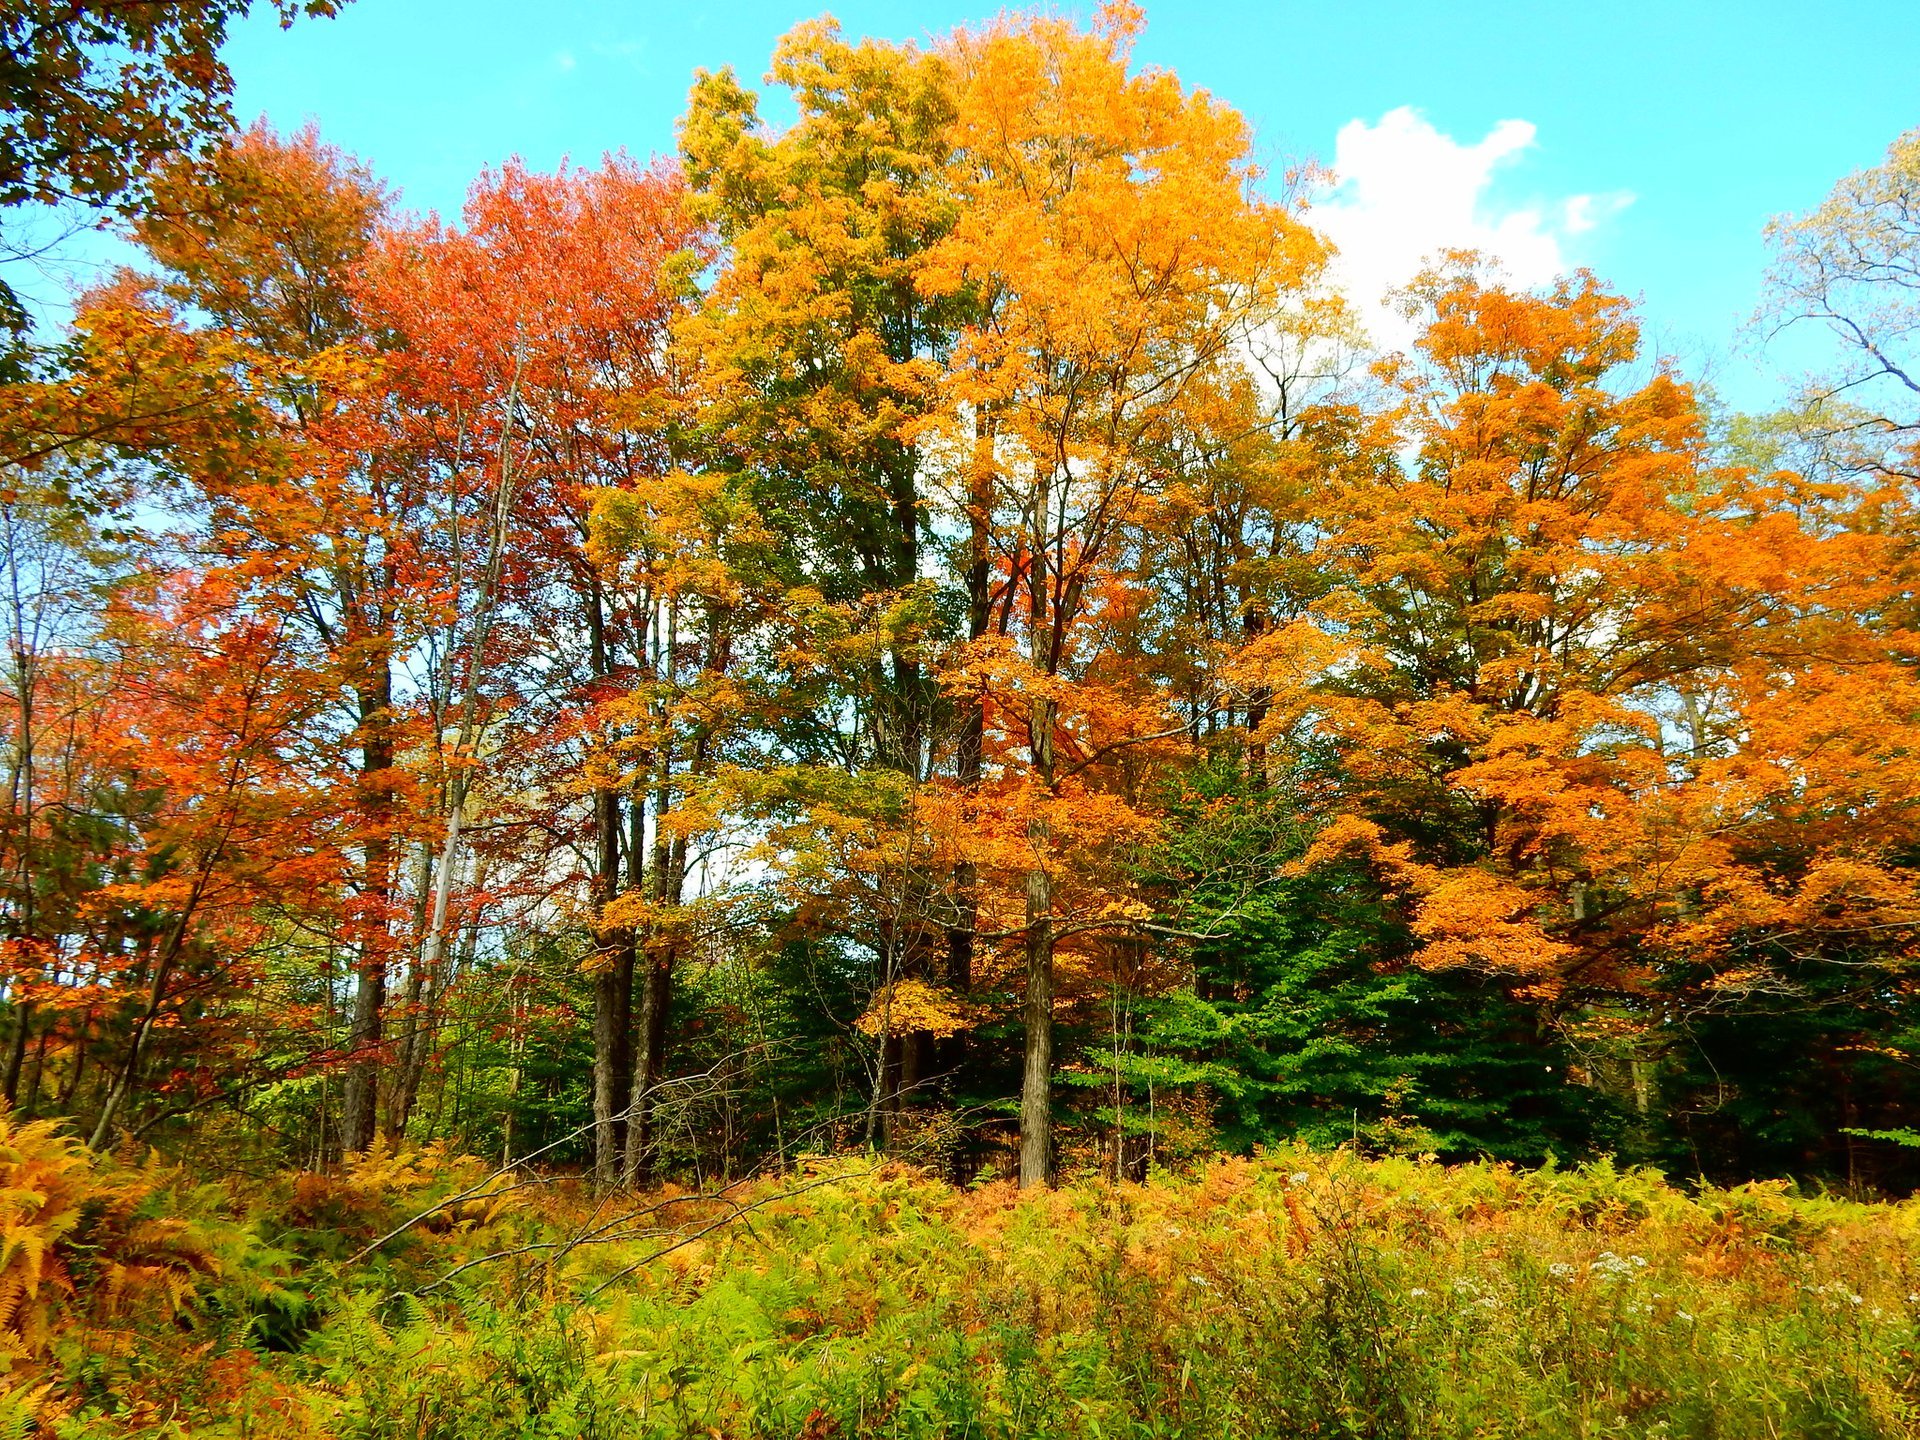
column 1109, row 226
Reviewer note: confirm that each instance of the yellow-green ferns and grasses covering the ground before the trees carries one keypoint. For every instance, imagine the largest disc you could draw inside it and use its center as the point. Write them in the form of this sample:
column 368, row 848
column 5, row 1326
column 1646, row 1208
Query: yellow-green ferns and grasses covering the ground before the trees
column 1295, row 1295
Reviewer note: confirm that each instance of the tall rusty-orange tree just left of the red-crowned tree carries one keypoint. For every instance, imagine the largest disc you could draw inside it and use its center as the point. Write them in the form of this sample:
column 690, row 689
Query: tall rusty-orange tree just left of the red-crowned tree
column 266, row 243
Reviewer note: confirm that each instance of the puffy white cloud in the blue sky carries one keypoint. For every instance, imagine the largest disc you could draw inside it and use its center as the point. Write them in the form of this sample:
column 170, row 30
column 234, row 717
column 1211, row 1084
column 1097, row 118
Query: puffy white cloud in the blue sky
column 1404, row 191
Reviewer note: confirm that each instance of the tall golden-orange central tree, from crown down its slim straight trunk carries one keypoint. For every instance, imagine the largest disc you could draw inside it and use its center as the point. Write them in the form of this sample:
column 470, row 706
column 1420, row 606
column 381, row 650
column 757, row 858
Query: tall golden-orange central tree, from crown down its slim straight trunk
column 1118, row 256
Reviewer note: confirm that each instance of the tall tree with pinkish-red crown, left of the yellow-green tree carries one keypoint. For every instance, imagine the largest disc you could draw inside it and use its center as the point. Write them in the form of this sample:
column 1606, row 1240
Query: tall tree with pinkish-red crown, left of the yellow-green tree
column 539, row 337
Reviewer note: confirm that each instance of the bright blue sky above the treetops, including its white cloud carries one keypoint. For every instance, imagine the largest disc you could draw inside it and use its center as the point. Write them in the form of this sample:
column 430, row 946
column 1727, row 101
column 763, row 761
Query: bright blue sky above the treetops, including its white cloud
column 1654, row 141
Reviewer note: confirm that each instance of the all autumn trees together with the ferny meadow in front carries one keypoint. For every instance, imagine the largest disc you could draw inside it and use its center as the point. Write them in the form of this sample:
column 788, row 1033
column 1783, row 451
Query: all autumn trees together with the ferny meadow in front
column 884, row 779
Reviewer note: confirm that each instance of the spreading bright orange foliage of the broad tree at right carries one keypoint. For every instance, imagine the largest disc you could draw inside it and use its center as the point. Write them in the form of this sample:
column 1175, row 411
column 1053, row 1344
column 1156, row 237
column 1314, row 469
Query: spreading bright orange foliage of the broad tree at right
column 1629, row 704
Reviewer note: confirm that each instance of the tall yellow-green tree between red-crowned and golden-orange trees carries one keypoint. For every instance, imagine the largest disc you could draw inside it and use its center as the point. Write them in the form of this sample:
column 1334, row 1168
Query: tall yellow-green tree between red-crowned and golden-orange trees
column 817, row 354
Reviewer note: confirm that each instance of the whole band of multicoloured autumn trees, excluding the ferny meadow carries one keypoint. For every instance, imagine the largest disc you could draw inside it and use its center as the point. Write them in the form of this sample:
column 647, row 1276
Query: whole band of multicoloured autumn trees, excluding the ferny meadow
column 934, row 631
